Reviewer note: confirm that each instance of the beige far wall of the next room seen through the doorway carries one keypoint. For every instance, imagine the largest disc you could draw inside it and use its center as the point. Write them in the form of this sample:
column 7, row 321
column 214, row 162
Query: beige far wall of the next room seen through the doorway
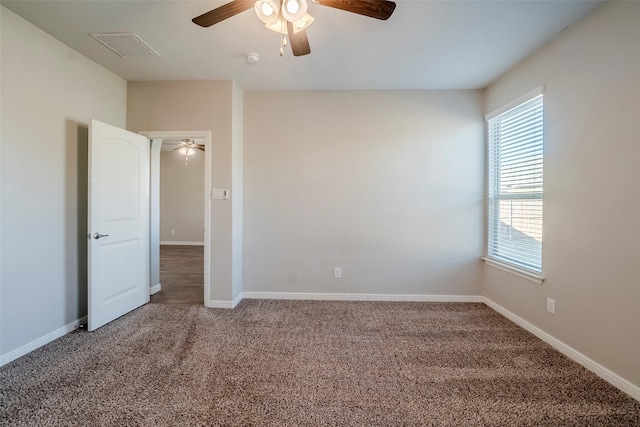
column 181, row 197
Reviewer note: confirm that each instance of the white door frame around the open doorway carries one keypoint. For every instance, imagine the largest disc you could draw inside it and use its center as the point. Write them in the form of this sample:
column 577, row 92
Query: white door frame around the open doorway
column 153, row 137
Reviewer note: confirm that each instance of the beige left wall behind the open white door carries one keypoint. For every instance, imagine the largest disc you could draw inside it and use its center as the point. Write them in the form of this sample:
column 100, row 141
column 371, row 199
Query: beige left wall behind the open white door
column 49, row 94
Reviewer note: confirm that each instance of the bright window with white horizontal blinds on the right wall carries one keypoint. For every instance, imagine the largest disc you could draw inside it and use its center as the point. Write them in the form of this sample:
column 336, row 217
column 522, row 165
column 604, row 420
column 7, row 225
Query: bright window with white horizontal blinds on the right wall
column 515, row 186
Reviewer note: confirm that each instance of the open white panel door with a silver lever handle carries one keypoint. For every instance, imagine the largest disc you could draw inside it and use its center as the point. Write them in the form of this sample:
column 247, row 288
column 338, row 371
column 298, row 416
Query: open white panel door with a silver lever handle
column 118, row 226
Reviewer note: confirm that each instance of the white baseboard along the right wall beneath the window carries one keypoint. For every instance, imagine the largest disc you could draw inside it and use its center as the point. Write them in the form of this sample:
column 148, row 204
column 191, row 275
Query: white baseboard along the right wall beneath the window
column 604, row 373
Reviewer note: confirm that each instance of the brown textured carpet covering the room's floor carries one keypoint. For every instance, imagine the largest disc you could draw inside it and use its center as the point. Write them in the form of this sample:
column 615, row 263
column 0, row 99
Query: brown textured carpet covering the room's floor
column 304, row 363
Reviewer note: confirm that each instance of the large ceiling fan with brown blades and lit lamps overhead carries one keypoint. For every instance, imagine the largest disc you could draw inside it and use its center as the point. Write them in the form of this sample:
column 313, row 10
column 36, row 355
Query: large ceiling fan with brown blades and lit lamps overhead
column 290, row 17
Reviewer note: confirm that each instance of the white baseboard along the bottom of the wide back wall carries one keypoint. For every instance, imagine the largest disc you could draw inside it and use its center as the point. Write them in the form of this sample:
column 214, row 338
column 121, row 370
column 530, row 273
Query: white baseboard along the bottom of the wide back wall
column 361, row 297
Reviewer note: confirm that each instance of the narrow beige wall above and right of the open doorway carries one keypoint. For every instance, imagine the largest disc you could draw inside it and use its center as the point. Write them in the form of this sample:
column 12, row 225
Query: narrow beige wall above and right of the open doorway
column 199, row 106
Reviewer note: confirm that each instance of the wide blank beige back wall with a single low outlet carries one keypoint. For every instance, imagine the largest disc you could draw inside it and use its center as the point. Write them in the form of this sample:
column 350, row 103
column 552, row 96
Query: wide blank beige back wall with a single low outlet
column 386, row 185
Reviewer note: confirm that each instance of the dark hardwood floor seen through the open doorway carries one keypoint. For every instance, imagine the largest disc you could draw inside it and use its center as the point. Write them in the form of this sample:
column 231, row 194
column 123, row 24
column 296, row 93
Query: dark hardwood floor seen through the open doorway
column 181, row 275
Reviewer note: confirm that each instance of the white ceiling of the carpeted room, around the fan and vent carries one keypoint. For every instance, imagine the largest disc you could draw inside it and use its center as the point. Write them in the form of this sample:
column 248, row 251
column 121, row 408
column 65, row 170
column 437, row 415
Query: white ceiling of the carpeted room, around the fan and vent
column 424, row 45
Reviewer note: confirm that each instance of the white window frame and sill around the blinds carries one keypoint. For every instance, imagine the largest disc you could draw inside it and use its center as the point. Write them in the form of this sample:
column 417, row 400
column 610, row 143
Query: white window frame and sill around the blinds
column 504, row 263
